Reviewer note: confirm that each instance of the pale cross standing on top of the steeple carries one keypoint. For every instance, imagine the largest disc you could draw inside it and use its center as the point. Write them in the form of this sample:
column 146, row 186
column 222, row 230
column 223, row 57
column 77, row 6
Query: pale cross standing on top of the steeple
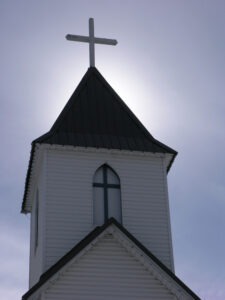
column 92, row 40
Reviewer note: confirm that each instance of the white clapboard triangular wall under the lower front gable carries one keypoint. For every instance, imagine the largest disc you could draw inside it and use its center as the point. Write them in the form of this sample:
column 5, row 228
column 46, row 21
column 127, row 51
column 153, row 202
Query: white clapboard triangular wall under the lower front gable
column 107, row 271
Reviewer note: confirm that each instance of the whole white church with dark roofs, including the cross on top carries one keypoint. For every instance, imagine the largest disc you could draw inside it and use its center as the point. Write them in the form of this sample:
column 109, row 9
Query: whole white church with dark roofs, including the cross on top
column 96, row 189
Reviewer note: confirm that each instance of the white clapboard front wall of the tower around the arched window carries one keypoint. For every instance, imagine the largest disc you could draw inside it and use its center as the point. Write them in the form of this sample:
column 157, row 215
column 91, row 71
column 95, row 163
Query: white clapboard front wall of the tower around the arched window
column 69, row 199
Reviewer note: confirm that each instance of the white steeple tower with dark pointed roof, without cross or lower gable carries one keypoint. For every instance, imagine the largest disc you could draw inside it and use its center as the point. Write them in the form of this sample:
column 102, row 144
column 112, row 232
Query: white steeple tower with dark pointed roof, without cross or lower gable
column 97, row 161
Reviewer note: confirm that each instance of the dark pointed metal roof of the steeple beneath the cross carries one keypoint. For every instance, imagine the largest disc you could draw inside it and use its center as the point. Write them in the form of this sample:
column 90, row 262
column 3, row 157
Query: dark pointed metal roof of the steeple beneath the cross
column 95, row 116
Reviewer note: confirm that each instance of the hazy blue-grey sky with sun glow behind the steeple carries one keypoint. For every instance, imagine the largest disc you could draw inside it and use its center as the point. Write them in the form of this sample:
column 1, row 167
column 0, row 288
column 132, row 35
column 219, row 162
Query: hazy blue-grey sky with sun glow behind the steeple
column 168, row 67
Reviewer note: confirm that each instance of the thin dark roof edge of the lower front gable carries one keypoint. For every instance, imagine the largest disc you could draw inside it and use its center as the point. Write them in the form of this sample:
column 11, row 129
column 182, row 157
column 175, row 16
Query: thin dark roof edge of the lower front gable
column 87, row 241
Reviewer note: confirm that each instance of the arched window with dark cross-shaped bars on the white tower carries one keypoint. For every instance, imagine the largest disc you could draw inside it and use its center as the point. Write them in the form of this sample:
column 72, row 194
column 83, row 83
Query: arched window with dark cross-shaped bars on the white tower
column 107, row 202
